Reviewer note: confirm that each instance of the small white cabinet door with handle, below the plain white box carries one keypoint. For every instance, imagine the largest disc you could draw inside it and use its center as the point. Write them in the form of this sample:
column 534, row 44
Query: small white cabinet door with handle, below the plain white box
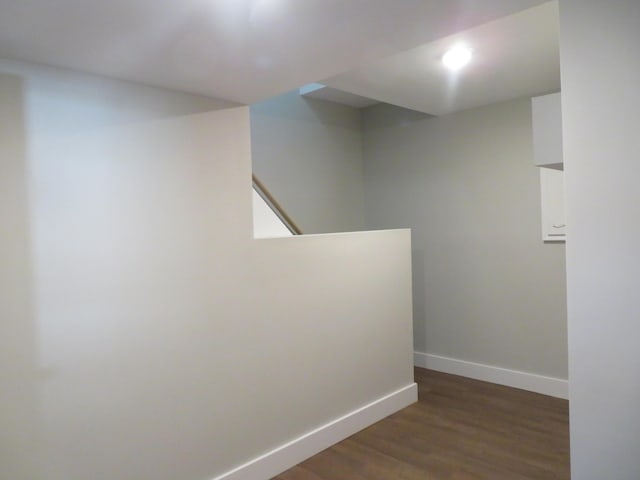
column 552, row 201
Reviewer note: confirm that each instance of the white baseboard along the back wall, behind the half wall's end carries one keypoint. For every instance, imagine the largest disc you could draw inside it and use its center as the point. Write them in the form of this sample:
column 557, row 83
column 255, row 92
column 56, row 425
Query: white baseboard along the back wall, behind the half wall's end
column 555, row 387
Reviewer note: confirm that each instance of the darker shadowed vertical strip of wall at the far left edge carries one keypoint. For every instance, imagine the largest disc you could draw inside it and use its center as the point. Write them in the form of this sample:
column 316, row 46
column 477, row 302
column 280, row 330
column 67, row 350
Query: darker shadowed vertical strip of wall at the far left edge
column 20, row 420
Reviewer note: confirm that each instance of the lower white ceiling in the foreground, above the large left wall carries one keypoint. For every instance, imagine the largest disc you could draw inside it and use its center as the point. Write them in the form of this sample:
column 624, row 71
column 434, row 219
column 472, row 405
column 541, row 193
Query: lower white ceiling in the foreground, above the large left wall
column 240, row 50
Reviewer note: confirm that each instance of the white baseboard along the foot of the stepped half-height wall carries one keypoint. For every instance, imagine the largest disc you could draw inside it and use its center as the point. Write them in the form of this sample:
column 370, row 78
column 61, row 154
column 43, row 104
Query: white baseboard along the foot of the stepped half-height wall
column 290, row 454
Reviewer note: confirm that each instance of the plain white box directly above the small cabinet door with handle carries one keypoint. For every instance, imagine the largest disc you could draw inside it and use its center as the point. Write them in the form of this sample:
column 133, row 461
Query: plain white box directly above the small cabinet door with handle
column 547, row 130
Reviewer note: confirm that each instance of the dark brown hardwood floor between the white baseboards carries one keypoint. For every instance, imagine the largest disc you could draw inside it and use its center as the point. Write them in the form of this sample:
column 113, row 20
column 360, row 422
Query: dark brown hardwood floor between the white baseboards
column 460, row 429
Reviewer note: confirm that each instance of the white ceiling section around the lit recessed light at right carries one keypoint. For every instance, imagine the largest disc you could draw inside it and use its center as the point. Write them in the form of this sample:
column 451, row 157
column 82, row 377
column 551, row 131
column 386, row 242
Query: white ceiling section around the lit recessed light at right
column 513, row 56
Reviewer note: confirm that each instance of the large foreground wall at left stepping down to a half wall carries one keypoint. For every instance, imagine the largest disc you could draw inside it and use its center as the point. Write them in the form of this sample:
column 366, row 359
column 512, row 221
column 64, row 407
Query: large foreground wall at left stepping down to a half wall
column 145, row 334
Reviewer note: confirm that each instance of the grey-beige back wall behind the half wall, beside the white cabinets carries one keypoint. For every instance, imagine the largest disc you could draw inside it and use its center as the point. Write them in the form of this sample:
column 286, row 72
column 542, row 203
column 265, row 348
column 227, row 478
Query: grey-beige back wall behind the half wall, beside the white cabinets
column 486, row 289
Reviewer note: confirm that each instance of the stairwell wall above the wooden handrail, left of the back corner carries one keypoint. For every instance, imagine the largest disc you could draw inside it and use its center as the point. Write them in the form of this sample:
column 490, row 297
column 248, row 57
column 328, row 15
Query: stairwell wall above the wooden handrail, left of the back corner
column 309, row 154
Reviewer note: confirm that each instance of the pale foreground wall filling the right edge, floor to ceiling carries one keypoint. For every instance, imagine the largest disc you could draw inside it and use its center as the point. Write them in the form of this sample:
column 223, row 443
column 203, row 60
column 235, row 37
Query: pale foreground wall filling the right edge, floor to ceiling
column 600, row 105
